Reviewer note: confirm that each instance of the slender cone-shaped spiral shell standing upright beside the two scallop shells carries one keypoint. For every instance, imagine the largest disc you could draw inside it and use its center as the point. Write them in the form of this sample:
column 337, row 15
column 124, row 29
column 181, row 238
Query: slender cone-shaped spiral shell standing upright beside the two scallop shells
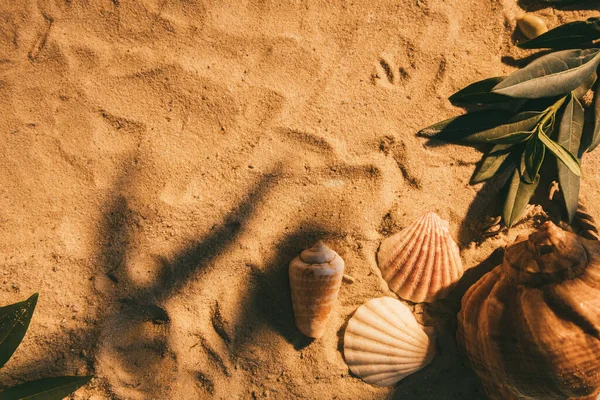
column 315, row 279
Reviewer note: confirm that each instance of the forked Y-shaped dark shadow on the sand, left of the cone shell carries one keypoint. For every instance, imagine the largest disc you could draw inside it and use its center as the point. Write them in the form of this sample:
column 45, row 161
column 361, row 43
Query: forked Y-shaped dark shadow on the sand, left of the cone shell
column 139, row 306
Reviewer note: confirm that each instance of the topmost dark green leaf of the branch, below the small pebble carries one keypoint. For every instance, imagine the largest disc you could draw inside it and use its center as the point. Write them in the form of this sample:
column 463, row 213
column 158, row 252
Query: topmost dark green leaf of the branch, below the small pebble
column 566, row 36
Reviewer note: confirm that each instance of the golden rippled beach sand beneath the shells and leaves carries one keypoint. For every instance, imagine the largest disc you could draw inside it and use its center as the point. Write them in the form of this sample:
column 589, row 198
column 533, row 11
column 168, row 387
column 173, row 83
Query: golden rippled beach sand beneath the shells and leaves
column 161, row 163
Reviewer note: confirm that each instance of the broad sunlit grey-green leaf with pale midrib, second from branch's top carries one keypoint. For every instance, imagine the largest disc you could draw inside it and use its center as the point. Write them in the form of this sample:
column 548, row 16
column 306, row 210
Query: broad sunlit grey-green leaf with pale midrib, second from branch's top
column 554, row 74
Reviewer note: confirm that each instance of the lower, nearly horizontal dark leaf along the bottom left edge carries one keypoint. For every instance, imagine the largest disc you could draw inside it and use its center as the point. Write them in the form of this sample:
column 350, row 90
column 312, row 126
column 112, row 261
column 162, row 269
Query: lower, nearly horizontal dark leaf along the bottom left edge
column 45, row 389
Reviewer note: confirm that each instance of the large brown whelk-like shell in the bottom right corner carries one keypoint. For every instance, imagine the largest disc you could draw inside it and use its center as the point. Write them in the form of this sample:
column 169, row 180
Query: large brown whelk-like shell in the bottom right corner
column 531, row 327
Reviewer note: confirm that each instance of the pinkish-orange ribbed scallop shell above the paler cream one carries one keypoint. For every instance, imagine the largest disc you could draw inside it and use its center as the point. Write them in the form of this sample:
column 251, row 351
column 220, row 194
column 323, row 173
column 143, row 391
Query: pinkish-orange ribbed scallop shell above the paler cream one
column 422, row 262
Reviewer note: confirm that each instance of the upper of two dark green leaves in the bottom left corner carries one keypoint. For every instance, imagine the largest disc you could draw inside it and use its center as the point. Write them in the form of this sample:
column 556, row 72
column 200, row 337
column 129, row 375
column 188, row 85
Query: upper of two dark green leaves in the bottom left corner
column 14, row 321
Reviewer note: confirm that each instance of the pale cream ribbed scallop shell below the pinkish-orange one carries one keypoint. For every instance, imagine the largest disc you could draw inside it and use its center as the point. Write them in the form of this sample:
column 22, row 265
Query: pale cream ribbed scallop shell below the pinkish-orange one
column 384, row 343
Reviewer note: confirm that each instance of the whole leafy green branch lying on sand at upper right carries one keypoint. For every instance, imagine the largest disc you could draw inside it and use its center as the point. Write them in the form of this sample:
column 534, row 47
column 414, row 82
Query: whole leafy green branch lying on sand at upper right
column 534, row 111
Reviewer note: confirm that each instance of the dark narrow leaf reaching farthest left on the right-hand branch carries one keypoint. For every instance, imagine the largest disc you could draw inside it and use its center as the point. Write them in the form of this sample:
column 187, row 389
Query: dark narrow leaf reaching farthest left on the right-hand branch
column 454, row 129
